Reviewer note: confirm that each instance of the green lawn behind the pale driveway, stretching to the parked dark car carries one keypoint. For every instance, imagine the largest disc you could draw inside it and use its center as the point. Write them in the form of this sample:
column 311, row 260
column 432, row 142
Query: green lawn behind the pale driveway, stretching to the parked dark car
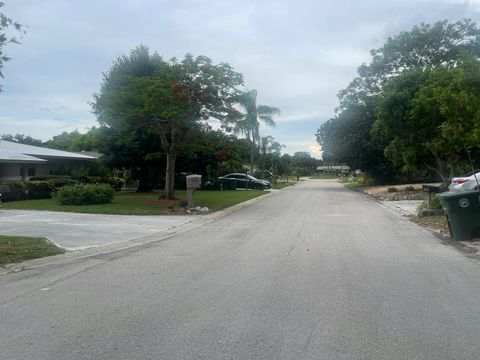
column 143, row 203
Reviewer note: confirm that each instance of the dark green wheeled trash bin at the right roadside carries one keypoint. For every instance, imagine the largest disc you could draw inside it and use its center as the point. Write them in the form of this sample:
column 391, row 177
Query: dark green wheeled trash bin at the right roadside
column 462, row 209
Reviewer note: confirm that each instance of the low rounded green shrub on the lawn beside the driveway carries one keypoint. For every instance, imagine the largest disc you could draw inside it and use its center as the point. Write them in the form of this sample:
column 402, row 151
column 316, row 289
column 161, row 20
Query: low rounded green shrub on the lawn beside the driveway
column 85, row 194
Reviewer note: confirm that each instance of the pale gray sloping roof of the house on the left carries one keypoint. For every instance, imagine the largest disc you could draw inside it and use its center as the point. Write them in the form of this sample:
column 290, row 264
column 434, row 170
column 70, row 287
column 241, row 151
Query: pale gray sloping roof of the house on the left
column 15, row 152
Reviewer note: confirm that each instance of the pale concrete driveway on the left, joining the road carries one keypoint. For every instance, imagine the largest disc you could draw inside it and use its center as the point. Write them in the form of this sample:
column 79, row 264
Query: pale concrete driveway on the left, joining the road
column 73, row 231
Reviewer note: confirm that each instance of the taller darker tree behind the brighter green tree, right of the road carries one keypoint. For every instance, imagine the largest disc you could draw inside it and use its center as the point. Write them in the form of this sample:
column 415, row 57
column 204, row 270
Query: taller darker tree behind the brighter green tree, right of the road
column 347, row 137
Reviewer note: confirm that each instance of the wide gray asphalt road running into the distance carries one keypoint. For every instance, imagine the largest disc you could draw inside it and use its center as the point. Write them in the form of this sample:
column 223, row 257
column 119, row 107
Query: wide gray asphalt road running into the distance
column 312, row 272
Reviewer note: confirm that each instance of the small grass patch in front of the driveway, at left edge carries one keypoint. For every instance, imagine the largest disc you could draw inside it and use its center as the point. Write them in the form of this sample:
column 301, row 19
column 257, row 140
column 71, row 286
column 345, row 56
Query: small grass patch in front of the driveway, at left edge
column 20, row 248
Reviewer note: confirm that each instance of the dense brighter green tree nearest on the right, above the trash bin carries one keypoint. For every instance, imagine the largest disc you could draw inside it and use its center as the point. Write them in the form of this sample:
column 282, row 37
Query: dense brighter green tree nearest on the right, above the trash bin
column 431, row 118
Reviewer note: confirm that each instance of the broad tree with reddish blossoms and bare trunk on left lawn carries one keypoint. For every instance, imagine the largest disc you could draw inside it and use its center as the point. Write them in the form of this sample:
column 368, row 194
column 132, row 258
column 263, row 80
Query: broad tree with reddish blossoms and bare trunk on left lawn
column 167, row 98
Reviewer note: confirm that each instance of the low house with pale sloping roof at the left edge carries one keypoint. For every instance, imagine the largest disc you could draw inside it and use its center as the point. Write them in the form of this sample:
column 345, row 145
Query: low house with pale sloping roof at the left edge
column 20, row 162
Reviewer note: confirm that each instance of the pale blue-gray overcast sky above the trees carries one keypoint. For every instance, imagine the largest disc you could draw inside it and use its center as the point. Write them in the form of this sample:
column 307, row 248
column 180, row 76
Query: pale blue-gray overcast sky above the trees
column 297, row 54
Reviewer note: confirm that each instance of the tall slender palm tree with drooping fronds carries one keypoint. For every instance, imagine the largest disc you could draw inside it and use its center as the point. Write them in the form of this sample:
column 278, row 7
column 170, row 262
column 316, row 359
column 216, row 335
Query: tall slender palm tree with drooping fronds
column 249, row 124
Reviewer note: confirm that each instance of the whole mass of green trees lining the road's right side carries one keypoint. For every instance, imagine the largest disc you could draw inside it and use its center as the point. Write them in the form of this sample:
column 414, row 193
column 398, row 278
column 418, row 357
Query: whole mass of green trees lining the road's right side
column 411, row 113
